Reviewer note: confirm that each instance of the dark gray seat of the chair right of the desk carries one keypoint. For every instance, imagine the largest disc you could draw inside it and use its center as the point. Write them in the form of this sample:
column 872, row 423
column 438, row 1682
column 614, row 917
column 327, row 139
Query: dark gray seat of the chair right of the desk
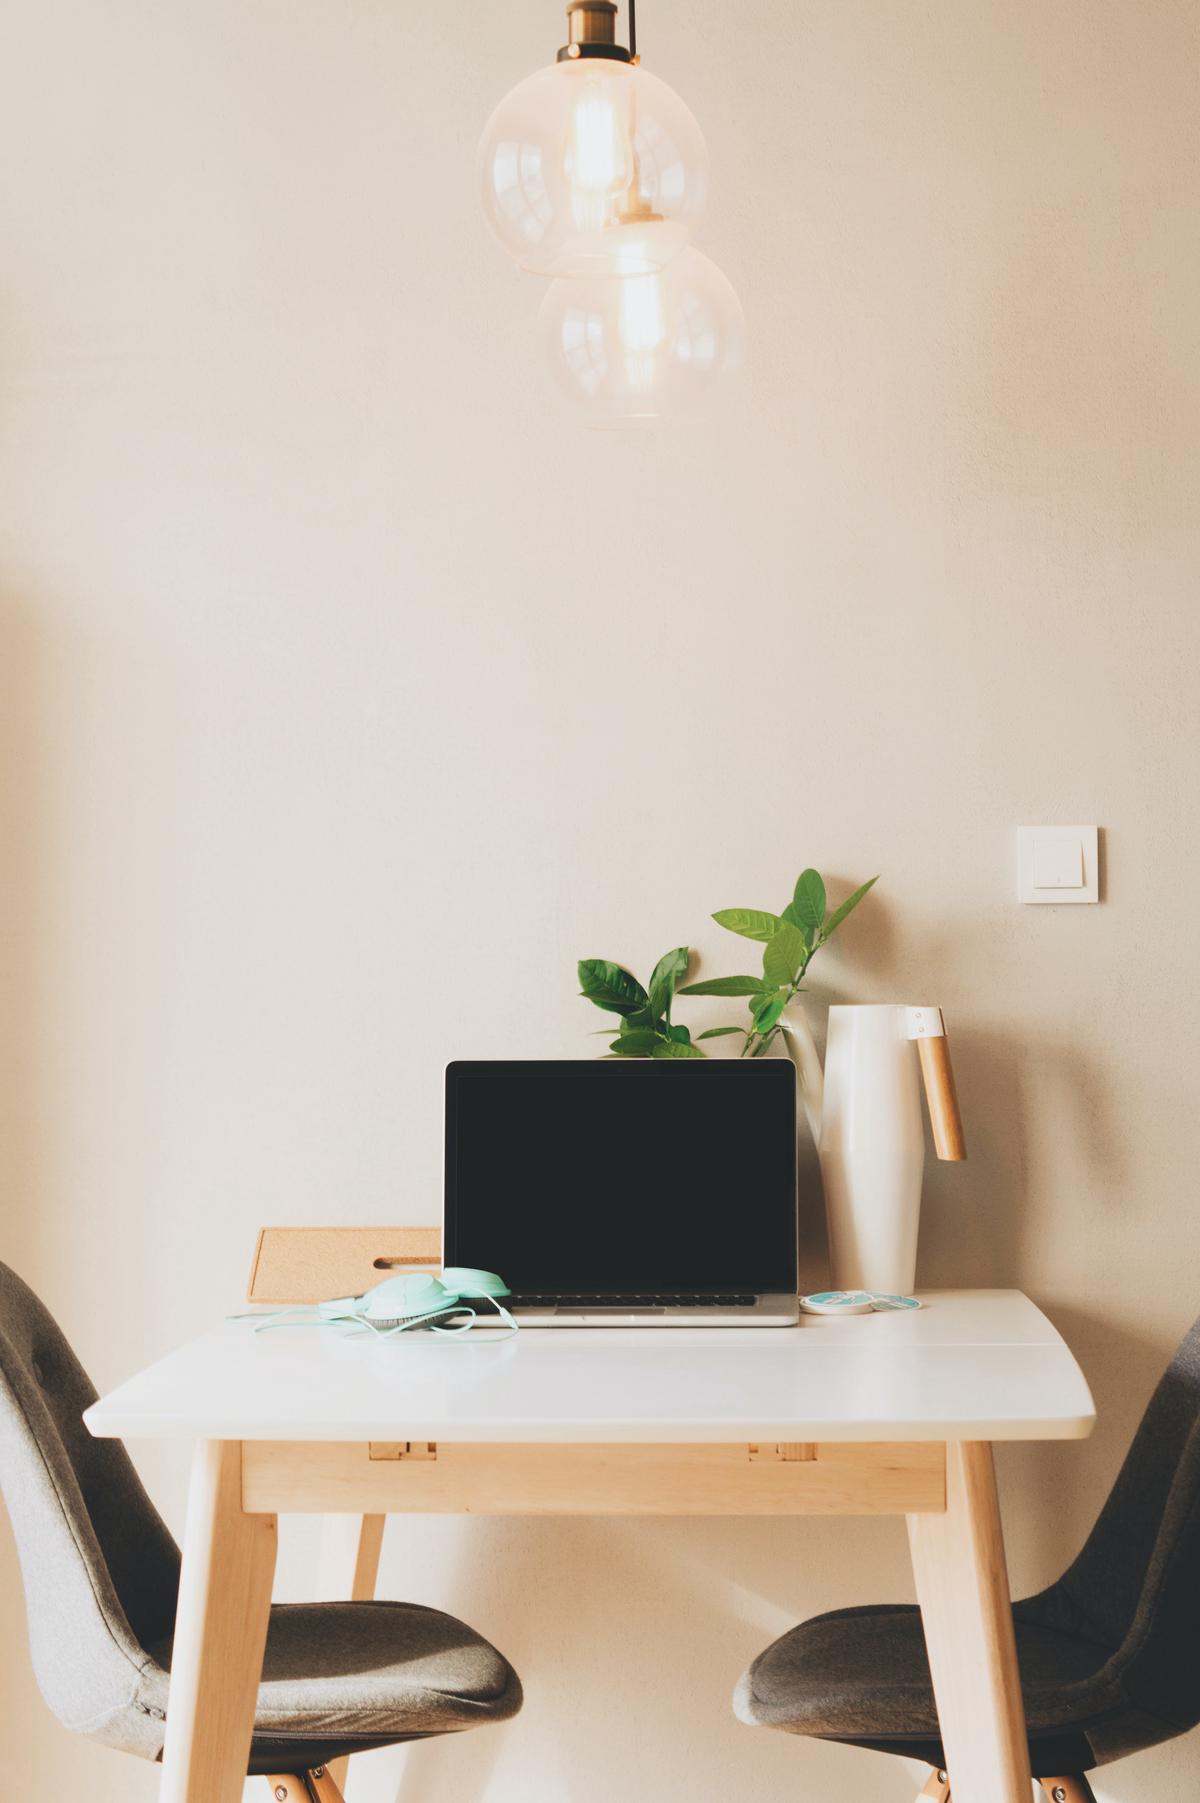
column 864, row 1676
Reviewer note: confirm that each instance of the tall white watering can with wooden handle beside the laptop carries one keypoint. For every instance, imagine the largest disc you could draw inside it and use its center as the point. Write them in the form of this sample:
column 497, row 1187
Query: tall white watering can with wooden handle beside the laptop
column 866, row 1119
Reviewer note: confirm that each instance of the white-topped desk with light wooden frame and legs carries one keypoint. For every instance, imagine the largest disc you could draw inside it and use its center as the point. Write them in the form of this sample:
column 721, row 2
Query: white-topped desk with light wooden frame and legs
column 873, row 1414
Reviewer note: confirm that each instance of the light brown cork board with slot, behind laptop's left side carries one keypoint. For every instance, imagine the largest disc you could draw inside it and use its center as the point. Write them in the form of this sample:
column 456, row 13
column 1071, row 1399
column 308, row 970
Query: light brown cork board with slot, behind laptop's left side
column 313, row 1265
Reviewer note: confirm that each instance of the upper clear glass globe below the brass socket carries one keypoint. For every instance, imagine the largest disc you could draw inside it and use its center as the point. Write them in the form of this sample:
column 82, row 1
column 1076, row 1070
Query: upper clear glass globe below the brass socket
column 594, row 169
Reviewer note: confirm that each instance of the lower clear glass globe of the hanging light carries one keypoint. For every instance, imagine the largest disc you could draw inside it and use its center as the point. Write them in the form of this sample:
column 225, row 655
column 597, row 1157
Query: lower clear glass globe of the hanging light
column 644, row 347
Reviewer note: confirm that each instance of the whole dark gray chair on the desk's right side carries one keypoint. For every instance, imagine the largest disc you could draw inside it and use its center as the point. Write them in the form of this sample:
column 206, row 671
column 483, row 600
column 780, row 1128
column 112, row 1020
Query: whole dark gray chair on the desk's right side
column 1107, row 1654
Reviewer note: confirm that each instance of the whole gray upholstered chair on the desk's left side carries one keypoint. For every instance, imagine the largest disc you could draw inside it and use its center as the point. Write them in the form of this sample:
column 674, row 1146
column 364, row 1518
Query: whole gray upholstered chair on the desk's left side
column 102, row 1582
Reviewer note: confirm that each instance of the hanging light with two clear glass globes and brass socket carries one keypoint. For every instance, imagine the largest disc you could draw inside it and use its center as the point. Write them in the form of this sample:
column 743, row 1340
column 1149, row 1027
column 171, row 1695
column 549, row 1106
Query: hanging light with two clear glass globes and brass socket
column 595, row 172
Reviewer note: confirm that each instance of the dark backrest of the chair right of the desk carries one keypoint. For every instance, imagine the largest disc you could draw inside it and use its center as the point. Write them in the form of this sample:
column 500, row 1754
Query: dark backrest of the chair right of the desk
column 1136, row 1586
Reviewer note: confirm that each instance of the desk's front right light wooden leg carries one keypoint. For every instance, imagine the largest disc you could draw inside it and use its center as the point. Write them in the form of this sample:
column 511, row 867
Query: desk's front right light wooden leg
column 968, row 1629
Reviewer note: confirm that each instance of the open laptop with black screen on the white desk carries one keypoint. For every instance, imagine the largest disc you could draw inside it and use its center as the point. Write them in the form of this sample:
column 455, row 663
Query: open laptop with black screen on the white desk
column 628, row 1193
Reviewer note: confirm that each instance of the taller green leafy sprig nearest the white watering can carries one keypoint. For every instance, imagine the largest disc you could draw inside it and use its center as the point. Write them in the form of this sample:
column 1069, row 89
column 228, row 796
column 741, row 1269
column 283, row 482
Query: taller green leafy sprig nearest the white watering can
column 790, row 940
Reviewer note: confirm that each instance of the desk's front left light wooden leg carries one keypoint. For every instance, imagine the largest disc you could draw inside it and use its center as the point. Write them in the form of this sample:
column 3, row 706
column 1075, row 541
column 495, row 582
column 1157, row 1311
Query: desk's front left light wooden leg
column 221, row 1633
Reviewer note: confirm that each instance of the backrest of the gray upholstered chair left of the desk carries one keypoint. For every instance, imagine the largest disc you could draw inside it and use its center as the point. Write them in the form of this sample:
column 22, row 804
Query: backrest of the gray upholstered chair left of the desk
column 98, row 1564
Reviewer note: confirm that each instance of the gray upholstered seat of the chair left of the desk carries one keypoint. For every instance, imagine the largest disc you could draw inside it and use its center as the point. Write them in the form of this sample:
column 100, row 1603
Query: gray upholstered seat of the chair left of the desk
column 341, row 1678
